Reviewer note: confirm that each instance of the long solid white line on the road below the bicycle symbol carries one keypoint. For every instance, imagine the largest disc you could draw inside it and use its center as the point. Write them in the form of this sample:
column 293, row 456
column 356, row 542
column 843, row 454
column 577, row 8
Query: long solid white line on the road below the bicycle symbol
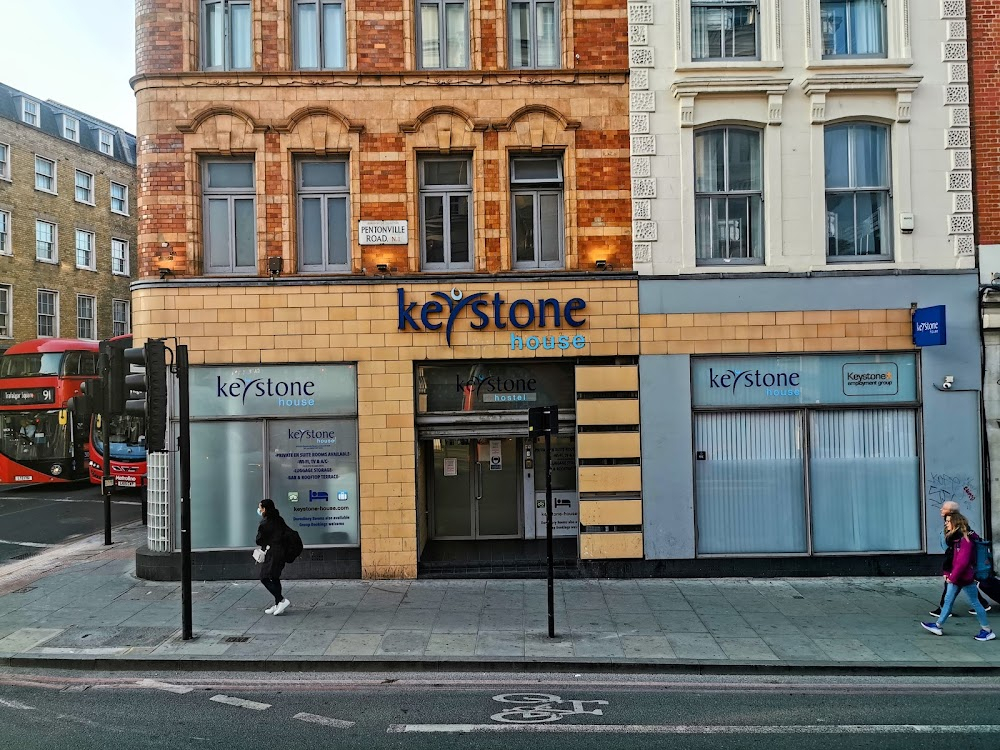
column 686, row 729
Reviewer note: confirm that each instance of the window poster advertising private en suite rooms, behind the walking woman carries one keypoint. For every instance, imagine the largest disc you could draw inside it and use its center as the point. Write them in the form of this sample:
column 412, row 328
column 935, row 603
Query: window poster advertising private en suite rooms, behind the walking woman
column 313, row 478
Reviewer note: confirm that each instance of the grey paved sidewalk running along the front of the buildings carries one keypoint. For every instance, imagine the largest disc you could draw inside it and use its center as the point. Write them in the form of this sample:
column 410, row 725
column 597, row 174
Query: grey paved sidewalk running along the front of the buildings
column 81, row 606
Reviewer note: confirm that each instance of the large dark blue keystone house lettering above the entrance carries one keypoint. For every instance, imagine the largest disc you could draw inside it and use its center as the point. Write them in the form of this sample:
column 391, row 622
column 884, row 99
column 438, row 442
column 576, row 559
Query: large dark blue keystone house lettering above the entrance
column 491, row 311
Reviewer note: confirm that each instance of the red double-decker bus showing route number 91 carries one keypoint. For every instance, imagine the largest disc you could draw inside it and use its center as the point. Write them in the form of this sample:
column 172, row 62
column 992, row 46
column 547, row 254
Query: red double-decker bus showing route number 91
column 41, row 438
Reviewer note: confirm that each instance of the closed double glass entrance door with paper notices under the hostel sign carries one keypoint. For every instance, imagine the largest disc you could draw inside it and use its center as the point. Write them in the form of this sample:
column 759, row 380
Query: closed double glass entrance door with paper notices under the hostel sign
column 476, row 488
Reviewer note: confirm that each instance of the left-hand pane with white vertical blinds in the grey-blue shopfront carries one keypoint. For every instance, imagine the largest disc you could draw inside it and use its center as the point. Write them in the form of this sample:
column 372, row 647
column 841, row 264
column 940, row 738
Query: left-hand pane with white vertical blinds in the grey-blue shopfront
column 749, row 490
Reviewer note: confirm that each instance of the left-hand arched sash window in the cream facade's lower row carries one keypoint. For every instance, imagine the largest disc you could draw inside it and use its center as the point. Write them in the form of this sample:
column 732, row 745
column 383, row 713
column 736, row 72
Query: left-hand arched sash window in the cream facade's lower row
column 729, row 223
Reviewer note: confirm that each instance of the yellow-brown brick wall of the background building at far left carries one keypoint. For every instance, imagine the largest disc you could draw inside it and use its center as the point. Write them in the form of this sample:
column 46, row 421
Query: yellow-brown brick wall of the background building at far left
column 18, row 196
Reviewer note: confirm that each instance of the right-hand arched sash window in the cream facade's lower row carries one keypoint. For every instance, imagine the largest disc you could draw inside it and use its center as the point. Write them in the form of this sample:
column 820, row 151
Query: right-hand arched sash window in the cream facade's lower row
column 858, row 216
